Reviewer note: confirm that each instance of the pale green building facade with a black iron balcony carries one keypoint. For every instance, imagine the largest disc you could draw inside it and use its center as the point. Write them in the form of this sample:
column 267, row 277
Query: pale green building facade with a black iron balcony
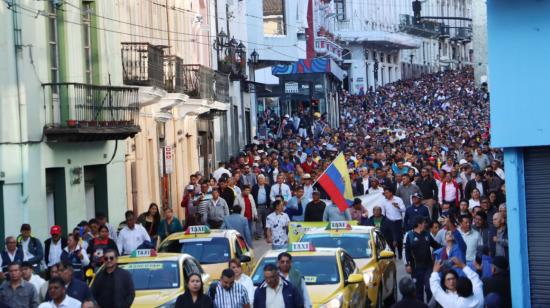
column 64, row 115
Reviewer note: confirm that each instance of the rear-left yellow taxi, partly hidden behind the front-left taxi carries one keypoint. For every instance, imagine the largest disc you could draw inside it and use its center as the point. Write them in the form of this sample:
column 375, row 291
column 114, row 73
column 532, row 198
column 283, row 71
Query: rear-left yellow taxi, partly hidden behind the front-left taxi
column 212, row 248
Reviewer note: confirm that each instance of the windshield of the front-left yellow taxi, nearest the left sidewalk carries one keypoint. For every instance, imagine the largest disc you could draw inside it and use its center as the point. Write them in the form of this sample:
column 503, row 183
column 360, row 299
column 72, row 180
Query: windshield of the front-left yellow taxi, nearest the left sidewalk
column 153, row 275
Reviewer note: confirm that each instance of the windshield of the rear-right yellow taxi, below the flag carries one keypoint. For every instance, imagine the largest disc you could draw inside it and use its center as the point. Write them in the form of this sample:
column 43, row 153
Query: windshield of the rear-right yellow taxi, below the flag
column 356, row 244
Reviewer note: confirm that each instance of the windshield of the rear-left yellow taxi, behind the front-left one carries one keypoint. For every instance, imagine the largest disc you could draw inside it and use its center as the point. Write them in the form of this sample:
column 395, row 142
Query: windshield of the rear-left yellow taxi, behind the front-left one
column 207, row 250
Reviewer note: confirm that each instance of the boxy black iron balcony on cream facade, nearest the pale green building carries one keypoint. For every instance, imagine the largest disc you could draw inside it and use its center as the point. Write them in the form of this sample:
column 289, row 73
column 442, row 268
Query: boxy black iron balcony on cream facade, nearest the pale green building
column 142, row 64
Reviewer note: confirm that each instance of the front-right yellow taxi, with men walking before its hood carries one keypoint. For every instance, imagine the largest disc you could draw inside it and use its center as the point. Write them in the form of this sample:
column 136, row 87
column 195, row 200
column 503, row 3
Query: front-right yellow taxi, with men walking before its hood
column 331, row 276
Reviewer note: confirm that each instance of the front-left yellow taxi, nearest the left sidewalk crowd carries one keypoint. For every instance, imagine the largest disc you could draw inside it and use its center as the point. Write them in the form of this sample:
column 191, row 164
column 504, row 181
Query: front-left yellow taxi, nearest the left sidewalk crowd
column 160, row 278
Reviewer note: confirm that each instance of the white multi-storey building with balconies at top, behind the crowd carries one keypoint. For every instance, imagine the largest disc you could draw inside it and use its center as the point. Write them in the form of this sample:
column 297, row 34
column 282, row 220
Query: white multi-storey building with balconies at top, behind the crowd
column 383, row 43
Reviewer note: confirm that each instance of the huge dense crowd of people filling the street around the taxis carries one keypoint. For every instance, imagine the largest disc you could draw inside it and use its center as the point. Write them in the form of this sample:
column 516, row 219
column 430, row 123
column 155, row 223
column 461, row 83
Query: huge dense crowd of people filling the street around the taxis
column 421, row 145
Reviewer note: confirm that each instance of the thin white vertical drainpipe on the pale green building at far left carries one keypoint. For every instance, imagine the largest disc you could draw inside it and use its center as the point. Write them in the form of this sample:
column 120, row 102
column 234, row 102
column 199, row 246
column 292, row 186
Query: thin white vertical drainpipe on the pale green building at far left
column 22, row 111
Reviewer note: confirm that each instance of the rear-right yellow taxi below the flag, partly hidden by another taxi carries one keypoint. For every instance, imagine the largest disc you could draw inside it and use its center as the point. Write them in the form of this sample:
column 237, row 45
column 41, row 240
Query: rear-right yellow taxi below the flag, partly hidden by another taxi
column 370, row 251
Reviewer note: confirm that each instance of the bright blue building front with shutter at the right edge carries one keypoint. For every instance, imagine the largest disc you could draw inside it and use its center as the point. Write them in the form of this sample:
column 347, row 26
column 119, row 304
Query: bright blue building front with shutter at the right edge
column 519, row 124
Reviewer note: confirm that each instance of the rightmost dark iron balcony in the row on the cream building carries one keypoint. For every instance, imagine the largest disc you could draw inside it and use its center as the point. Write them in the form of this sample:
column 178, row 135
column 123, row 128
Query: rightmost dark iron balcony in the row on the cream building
column 204, row 83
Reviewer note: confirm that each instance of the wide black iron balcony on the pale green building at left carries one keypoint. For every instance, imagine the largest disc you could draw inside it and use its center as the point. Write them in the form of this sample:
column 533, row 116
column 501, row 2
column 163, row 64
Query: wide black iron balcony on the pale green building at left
column 78, row 112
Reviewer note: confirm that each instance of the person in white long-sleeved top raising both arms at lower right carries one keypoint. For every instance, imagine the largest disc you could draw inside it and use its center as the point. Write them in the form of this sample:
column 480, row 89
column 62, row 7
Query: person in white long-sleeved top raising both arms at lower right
column 469, row 289
